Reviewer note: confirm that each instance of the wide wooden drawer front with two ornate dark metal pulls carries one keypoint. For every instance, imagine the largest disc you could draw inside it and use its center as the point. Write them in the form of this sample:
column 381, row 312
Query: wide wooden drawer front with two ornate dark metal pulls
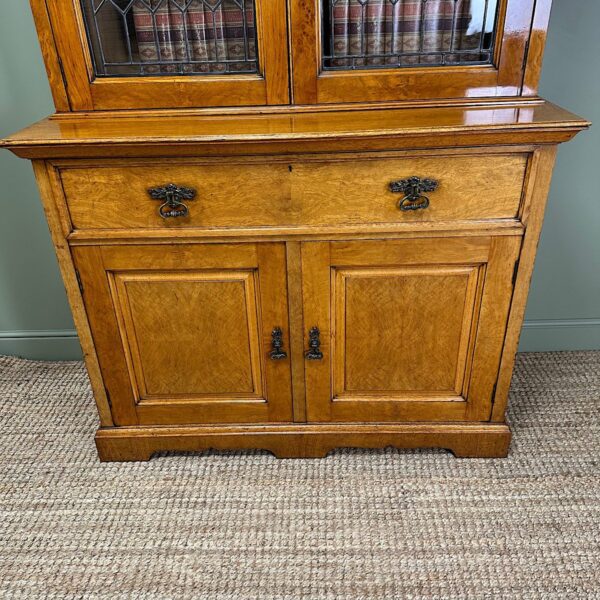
column 296, row 193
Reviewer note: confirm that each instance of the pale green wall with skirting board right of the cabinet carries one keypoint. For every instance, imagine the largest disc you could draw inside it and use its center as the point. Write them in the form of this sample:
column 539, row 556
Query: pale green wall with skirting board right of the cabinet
column 564, row 303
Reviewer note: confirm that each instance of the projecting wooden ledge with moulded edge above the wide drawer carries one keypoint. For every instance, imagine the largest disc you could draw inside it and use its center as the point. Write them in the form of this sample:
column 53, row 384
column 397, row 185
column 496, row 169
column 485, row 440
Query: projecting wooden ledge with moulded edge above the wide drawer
column 296, row 131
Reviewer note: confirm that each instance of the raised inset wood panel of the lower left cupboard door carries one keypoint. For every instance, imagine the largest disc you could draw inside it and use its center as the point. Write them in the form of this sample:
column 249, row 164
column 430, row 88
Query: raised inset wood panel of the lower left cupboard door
column 201, row 326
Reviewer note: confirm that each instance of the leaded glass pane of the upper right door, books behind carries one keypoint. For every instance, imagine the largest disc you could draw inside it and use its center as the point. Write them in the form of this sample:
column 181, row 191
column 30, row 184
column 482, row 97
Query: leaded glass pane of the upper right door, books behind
column 370, row 34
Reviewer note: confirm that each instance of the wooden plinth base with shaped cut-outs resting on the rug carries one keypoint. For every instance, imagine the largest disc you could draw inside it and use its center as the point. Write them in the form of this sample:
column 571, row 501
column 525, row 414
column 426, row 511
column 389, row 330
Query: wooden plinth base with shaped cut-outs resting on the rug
column 464, row 440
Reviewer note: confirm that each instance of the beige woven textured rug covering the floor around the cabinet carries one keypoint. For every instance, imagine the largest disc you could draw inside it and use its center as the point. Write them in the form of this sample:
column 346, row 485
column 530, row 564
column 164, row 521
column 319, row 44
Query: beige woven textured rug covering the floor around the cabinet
column 357, row 525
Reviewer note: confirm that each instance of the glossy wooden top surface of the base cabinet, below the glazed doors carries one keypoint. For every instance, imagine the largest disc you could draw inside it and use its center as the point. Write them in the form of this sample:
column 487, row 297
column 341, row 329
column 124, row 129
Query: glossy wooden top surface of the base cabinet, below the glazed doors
column 182, row 130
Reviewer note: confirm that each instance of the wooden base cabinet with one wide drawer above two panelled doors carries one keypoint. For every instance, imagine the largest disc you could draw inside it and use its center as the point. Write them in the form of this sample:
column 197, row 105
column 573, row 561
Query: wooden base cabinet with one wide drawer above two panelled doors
column 299, row 299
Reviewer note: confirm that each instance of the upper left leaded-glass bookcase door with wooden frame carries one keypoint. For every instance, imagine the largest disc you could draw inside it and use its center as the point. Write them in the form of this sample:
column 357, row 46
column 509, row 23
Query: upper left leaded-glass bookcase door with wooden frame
column 152, row 54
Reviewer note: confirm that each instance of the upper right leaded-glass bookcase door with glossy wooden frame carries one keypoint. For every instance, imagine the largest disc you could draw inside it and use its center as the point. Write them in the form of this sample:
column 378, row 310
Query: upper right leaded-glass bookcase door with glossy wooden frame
column 388, row 50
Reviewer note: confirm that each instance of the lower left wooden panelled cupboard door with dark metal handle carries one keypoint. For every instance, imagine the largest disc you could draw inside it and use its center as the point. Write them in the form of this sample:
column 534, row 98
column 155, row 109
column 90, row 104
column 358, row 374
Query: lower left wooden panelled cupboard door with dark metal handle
column 185, row 333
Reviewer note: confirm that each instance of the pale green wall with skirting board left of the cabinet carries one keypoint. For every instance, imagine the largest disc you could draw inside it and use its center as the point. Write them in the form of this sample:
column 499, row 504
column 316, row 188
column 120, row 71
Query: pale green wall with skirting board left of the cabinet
column 34, row 315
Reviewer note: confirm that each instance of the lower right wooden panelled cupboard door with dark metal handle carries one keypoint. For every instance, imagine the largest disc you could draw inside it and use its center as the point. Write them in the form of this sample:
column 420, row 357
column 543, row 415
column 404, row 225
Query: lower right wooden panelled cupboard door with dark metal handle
column 409, row 330
